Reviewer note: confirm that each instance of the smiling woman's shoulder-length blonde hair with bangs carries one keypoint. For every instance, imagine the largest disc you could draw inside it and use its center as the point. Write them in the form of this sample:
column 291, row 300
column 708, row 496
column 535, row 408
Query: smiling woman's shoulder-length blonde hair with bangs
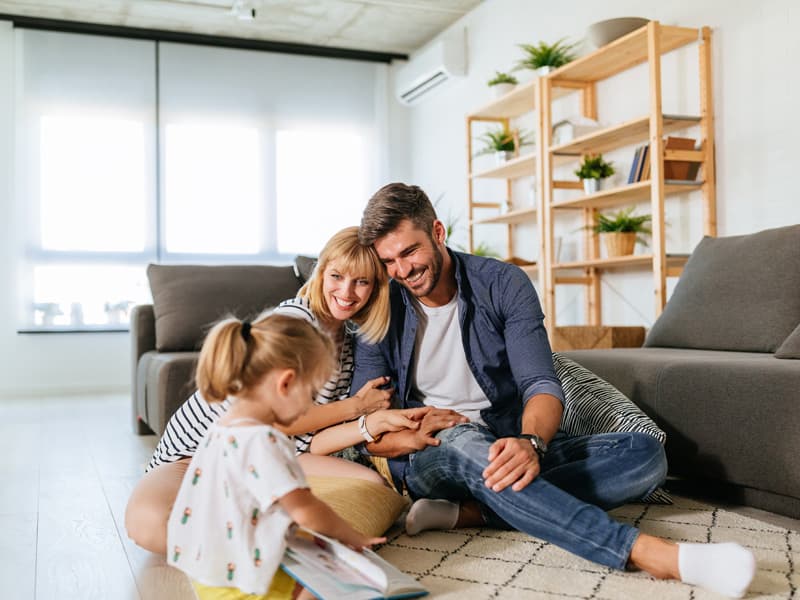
column 356, row 260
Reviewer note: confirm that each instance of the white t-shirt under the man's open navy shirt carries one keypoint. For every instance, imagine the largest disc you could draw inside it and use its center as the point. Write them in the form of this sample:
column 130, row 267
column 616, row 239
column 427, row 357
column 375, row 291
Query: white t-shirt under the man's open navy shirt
column 442, row 376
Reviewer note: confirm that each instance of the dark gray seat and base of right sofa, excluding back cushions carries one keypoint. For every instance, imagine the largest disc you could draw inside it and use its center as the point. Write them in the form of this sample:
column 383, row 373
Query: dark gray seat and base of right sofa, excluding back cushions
column 729, row 416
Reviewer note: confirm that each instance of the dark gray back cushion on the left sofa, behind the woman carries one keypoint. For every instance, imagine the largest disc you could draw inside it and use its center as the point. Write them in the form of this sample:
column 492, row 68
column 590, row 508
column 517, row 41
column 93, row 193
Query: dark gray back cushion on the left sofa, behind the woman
column 188, row 299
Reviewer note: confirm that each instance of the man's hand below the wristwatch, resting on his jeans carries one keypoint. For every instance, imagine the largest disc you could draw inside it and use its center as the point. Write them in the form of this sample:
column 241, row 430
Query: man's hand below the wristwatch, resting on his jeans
column 512, row 461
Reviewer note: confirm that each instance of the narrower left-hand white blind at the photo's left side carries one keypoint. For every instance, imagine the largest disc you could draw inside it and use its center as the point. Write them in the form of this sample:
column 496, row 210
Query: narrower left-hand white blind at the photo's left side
column 85, row 177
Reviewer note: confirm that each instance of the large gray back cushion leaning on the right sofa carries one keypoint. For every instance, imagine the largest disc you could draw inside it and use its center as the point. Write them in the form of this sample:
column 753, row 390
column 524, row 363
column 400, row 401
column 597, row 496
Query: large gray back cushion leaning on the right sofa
column 736, row 293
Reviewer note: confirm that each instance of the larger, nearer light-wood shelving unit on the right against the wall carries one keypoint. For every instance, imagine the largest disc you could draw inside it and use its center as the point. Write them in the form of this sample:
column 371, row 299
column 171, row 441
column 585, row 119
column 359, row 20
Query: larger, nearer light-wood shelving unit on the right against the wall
column 645, row 45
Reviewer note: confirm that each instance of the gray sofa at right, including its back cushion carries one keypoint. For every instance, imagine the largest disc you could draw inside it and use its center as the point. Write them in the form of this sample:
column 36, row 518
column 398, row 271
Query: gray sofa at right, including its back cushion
column 720, row 370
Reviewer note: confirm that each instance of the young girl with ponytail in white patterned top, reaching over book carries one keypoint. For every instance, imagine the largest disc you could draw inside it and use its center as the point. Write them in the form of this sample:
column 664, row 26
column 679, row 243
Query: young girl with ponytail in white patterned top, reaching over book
column 244, row 486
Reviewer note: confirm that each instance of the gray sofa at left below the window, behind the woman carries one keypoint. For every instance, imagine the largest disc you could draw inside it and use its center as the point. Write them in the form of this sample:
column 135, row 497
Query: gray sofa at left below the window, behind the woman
column 187, row 299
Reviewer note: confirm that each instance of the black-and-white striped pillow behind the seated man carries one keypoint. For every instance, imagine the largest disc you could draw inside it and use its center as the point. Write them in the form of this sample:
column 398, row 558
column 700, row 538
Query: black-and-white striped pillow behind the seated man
column 592, row 405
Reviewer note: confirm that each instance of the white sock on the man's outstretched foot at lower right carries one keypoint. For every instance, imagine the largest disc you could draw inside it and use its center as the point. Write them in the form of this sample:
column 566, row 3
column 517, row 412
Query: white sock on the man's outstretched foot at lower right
column 725, row 568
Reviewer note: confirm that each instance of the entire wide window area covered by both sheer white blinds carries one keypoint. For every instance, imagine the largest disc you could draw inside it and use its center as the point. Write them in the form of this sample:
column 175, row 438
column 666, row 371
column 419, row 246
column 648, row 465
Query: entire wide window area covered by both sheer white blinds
column 132, row 152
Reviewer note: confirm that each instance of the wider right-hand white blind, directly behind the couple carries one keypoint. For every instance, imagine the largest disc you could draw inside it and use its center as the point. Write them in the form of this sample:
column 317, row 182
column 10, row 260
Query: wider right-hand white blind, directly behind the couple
column 264, row 155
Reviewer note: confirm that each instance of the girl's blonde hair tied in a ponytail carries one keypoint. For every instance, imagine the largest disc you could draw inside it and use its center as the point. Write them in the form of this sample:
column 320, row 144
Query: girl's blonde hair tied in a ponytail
column 236, row 355
